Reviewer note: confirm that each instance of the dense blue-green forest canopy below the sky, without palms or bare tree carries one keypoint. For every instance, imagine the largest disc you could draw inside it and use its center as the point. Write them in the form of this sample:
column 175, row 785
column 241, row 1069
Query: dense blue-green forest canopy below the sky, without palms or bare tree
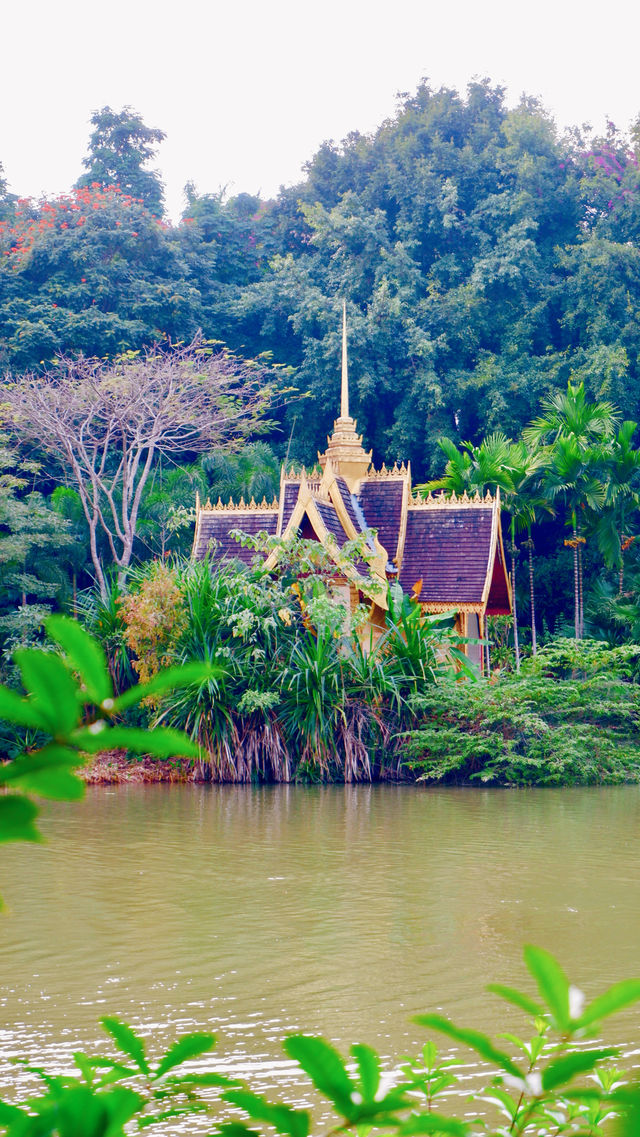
column 487, row 261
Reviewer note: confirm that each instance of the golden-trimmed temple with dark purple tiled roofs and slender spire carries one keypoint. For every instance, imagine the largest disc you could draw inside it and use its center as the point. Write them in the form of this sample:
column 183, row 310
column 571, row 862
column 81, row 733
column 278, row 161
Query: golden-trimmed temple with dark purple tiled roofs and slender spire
column 445, row 550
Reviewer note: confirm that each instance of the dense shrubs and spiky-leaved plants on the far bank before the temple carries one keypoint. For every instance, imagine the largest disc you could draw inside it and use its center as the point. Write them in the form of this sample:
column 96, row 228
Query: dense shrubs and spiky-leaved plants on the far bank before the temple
column 296, row 695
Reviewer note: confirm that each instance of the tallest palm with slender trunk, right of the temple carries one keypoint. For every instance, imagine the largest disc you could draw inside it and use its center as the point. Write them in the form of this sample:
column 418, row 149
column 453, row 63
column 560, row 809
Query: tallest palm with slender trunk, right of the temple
column 575, row 430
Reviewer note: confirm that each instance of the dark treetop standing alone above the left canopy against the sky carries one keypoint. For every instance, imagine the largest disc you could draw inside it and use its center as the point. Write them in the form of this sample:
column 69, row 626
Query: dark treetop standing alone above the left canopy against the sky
column 120, row 148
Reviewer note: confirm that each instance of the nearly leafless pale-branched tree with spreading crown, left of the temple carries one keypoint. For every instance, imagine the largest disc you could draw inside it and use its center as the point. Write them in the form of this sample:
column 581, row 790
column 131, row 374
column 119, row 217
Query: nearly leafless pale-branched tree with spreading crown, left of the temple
column 107, row 424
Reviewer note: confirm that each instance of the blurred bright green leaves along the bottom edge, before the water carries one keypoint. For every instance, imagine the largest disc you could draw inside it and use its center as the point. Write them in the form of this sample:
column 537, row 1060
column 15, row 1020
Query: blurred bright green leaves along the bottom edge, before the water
column 558, row 1083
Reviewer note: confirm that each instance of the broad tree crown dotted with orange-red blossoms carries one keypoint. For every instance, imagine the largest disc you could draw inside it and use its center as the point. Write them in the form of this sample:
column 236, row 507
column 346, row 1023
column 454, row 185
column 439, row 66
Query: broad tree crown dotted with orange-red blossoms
column 93, row 271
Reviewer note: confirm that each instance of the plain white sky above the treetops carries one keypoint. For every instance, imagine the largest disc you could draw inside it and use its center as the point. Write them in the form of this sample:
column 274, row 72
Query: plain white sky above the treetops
column 247, row 92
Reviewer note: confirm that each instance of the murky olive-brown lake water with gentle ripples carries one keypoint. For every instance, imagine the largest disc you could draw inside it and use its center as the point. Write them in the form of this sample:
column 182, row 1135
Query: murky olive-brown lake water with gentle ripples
column 340, row 911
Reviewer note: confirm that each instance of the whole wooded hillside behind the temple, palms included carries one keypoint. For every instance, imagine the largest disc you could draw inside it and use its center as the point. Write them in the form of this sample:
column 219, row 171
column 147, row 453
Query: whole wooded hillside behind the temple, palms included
column 492, row 271
